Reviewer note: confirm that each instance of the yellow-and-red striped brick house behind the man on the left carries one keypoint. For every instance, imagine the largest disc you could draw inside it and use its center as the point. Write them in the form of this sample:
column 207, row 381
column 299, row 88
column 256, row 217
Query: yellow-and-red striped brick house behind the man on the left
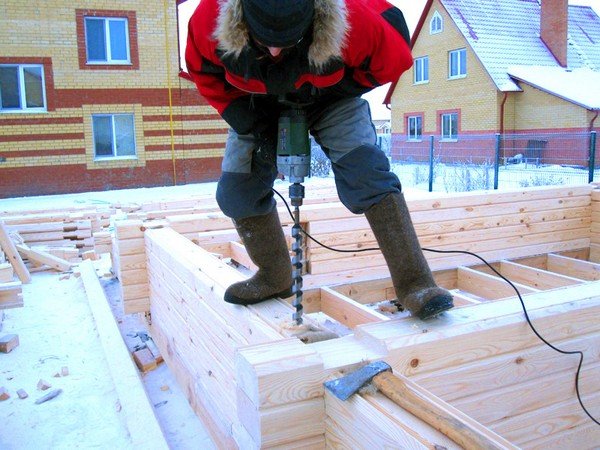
column 91, row 99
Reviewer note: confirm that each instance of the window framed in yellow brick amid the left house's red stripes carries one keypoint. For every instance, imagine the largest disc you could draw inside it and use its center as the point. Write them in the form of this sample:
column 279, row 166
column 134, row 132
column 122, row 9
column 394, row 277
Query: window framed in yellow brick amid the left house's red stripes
column 114, row 135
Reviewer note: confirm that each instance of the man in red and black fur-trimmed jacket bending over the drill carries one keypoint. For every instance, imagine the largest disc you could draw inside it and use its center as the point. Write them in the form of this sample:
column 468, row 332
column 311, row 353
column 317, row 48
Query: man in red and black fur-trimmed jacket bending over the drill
column 245, row 56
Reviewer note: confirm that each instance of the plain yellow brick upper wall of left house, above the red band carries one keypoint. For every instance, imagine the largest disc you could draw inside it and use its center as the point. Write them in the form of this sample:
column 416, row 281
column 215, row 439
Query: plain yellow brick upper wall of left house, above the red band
column 47, row 28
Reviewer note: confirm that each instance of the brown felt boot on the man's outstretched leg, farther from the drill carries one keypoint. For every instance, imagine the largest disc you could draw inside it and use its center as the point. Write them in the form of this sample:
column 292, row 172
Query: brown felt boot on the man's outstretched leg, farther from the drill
column 412, row 278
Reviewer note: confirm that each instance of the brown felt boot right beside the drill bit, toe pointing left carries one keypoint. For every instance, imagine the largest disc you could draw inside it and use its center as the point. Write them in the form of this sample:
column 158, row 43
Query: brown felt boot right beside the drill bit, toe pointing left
column 267, row 248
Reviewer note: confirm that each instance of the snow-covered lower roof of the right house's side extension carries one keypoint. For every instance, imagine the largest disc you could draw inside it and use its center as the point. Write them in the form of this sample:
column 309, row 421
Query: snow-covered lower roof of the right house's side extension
column 580, row 86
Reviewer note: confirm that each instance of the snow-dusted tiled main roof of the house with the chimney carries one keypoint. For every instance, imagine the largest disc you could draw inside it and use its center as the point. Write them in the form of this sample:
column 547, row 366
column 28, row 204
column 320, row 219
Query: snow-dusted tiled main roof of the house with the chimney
column 505, row 33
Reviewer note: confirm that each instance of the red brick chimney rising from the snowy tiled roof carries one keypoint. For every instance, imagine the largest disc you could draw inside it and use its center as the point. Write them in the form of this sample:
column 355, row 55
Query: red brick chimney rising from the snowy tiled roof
column 554, row 20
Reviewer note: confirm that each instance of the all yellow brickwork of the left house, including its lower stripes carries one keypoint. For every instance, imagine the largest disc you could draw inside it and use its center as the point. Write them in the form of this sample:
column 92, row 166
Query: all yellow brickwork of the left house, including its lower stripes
column 39, row 29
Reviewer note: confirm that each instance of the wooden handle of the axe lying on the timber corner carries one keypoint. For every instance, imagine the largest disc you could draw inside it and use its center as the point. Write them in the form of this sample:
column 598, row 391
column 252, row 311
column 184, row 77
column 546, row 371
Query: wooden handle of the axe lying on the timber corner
column 462, row 429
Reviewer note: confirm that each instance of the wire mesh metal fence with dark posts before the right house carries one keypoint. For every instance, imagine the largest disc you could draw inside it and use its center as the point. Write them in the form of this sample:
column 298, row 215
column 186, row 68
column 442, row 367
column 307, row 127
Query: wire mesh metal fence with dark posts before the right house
column 494, row 161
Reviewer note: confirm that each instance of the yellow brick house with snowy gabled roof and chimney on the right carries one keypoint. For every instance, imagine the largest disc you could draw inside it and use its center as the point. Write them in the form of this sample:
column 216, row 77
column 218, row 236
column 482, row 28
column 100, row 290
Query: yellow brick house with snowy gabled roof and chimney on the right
column 512, row 67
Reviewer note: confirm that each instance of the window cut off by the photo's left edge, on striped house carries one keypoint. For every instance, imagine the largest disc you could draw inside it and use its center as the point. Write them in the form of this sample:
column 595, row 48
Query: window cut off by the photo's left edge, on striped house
column 22, row 88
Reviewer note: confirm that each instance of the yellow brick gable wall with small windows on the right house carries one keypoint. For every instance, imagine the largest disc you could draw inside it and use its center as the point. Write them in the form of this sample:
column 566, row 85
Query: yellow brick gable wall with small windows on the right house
column 475, row 94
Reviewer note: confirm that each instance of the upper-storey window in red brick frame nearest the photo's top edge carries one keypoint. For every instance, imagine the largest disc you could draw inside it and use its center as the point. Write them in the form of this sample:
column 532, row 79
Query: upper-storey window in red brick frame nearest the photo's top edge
column 107, row 40
